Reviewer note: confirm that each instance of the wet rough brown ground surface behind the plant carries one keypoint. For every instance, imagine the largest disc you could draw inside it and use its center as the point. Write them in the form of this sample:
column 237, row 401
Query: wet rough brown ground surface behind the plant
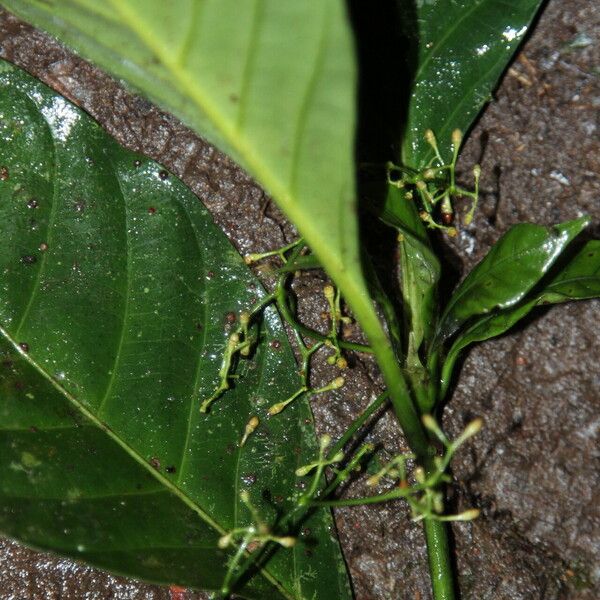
column 534, row 468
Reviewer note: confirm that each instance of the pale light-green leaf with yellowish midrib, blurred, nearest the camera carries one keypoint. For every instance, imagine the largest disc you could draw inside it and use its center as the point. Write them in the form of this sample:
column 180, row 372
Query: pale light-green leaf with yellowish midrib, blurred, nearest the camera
column 270, row 82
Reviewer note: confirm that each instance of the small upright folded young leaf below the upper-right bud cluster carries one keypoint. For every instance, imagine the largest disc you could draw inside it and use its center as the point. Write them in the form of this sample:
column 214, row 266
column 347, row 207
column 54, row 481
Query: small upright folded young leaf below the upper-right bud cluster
column 419, row 267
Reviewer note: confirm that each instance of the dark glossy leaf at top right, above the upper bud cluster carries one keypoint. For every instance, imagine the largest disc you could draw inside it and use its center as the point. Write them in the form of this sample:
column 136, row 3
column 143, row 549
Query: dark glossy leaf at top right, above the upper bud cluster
column 464, row 47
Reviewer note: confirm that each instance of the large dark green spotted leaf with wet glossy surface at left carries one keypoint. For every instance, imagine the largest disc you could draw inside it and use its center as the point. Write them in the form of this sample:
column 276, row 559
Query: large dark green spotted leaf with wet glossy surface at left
column 115, row 291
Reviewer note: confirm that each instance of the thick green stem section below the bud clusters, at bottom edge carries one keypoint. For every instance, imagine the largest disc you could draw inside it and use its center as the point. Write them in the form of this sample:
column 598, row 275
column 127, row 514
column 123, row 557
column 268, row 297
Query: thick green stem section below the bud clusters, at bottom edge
column 440, row 561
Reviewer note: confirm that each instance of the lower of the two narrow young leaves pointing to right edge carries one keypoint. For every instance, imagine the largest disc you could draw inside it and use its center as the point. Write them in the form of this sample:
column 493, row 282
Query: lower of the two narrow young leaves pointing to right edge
column 578, row 280
